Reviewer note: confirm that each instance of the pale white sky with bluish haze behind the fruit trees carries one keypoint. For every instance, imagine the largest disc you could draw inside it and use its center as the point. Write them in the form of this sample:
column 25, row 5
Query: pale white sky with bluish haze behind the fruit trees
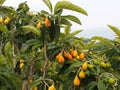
column 100, row 13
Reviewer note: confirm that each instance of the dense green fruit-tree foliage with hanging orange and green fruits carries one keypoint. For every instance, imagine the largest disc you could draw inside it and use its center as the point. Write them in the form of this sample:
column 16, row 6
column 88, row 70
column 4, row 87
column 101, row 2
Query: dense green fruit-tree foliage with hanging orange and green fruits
column 36, row 55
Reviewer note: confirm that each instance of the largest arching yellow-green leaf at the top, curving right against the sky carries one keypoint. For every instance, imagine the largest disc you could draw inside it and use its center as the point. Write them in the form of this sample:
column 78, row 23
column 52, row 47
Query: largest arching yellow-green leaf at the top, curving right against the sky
column 69, row 6
